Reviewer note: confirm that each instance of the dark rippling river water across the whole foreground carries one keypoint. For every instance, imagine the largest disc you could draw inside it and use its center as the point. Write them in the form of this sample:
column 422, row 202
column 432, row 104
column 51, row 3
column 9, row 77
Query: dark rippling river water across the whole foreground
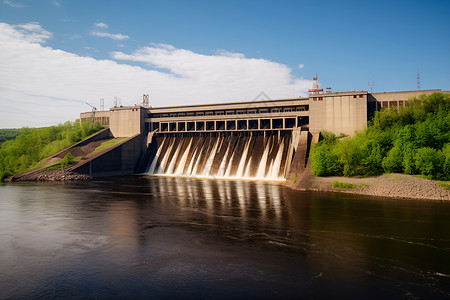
column 166, row 237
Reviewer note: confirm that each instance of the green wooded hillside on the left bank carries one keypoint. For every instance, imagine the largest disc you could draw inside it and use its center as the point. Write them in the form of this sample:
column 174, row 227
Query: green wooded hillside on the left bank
column 32, row 145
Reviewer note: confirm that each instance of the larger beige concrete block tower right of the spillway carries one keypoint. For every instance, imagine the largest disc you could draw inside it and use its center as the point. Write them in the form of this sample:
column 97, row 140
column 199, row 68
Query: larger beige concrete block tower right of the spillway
column 338, row 112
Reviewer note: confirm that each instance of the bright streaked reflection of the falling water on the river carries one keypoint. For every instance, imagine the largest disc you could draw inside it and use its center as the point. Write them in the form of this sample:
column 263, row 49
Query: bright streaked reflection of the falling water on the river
column 254, row 206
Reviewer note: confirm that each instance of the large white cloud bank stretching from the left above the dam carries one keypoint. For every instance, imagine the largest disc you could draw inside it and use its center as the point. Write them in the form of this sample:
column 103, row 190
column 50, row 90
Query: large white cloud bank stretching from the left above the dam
column 41, row 86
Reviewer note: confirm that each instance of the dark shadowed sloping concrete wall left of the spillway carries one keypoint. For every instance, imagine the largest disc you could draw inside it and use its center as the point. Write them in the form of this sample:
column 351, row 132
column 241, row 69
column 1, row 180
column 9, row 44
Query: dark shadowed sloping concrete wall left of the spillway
column 122, row 159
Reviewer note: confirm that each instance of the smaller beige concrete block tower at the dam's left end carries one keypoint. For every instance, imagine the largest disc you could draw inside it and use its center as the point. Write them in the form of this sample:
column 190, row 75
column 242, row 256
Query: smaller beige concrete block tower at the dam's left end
column 127, row 121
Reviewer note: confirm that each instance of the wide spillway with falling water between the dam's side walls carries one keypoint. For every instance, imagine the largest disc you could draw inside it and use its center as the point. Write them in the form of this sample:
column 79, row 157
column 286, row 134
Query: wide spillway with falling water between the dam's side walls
column 244, row 155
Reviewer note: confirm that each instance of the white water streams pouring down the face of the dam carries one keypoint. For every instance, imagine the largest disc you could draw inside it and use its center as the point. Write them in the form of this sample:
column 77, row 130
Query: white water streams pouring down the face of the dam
column 200, row 162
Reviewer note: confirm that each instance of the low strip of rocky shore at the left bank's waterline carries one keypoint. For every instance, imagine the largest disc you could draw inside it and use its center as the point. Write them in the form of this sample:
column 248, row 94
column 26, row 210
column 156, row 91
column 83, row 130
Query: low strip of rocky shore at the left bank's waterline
column 49, row 175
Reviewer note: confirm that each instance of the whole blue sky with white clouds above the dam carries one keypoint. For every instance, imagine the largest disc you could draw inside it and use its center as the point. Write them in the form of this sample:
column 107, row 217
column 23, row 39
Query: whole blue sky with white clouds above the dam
column 56, row 55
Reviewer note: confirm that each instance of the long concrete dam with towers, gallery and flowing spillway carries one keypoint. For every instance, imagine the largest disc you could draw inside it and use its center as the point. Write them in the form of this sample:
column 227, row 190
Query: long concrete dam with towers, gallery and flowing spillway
column 255, row 140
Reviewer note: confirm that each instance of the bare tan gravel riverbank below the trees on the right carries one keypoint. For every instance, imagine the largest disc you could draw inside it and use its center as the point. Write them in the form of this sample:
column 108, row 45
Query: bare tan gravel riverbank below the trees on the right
column 387, row 185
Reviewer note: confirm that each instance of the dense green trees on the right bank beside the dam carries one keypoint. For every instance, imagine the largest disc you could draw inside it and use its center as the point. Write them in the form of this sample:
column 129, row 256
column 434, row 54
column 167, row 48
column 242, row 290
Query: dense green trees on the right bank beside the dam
column 414, row 139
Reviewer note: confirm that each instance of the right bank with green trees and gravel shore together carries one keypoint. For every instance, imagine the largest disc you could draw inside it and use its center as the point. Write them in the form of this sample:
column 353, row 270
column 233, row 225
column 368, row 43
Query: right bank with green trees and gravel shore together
column 403, row 153
